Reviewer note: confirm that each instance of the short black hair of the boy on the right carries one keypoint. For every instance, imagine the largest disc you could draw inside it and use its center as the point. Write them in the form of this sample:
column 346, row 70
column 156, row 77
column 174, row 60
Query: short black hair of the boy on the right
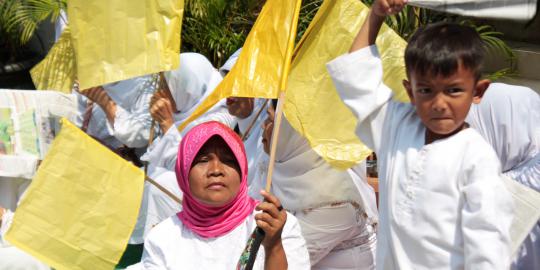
column 439, row 48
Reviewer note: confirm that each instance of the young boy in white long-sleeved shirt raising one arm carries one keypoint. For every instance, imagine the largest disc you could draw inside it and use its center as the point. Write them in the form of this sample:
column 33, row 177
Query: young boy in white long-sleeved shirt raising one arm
column 442, row 203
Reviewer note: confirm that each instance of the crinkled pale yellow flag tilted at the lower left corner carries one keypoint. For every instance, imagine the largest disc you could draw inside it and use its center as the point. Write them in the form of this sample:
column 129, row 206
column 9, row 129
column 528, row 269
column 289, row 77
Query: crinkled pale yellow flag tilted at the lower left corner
column 81, row 207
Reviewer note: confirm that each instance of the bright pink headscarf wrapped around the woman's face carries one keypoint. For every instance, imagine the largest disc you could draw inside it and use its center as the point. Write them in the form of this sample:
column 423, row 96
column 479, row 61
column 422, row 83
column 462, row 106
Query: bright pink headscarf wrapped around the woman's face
column 208, row 221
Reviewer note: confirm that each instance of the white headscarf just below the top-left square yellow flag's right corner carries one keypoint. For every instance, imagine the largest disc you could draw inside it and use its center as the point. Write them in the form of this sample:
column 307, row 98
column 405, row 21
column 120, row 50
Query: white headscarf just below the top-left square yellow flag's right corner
column 191, row 83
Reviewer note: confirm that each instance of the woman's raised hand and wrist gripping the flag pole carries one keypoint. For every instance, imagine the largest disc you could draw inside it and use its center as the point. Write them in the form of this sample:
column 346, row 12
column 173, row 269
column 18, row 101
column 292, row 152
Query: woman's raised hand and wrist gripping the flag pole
column 271, row 221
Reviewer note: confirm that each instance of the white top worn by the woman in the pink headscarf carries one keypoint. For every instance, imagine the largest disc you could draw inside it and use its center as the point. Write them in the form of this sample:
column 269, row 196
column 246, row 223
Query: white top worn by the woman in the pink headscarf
column 170, row 245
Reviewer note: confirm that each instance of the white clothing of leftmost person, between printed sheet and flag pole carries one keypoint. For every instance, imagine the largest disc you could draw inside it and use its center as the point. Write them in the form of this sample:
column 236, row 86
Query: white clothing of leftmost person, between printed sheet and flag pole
column 132, row 120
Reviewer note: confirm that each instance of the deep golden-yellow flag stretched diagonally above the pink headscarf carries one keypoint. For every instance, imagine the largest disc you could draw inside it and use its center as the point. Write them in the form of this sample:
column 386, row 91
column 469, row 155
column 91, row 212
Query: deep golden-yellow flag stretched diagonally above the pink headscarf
column 263, row 64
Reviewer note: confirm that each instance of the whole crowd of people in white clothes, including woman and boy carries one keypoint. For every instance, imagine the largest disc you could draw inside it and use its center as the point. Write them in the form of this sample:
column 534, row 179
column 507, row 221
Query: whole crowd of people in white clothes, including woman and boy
column 441, row 159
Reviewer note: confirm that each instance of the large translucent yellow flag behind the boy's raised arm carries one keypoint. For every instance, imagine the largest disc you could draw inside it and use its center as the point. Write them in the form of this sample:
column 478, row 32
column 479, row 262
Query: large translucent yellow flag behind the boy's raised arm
column 312, row 105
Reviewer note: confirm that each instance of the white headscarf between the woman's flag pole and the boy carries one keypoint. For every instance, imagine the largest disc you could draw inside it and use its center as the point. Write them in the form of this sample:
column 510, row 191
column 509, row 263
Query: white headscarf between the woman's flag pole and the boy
column 302, row 179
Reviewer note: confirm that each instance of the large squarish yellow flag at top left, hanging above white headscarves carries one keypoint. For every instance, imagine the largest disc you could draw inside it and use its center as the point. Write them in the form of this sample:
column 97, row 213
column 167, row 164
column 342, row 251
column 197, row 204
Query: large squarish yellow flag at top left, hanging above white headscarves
column 122, row 39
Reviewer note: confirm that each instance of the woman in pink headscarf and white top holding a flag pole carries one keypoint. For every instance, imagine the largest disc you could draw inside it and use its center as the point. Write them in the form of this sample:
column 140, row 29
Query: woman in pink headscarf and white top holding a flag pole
column 217, row 215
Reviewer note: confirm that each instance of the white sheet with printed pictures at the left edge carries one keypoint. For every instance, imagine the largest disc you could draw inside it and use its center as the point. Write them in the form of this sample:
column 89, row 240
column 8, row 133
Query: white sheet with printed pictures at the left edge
column 29, row 121
